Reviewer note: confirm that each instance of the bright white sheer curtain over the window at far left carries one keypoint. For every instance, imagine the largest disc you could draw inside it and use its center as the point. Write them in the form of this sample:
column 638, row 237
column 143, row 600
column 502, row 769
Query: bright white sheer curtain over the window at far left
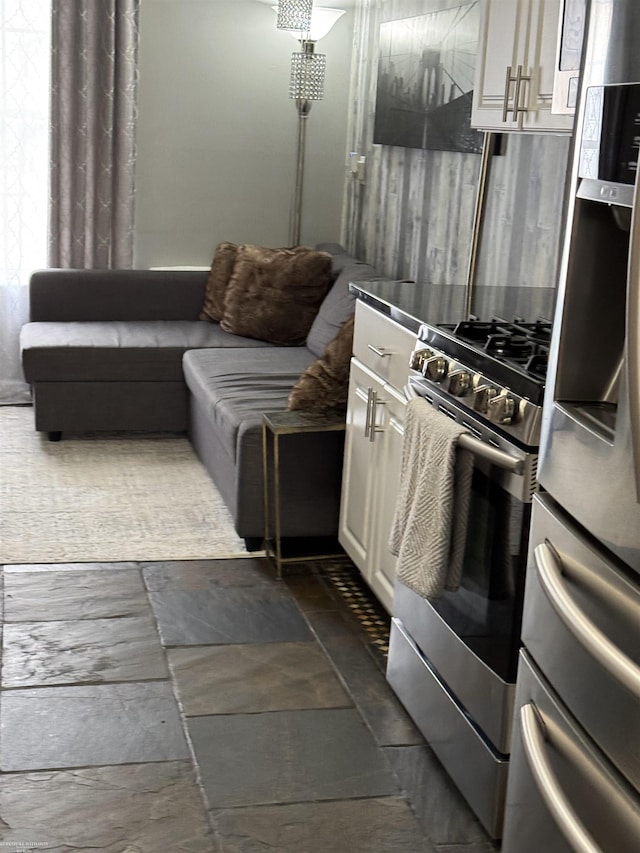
column 24, row 162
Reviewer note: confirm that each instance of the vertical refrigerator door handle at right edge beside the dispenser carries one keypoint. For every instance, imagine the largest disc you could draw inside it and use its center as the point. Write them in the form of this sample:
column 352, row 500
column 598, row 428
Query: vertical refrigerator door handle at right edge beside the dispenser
column 632, row 337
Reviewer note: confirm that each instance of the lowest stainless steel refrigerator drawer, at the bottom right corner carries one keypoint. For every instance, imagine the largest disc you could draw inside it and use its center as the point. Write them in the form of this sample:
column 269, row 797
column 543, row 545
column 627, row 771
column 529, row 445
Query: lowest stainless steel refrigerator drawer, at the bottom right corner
column 559, row 780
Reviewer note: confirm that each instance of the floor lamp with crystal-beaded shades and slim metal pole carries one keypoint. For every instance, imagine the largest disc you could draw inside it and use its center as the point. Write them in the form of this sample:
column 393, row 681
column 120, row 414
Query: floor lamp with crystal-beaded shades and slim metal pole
column 307, row 24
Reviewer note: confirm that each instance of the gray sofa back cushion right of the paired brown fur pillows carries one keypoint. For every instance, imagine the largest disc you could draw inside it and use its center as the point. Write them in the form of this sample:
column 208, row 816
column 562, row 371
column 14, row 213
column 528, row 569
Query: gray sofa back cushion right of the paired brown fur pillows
column 339, row 304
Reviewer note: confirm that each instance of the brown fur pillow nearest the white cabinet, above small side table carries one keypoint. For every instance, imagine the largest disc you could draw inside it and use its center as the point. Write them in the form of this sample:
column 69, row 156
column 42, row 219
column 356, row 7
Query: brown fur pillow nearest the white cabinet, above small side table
column 324, row 385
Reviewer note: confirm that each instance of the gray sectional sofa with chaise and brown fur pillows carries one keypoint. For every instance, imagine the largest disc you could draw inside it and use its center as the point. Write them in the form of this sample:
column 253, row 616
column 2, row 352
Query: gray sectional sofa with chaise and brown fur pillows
column 125, row 350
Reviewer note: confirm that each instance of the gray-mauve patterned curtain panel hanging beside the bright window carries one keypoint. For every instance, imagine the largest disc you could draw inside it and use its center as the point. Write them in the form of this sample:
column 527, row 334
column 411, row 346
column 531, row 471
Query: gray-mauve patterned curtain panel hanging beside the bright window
column 93, row 112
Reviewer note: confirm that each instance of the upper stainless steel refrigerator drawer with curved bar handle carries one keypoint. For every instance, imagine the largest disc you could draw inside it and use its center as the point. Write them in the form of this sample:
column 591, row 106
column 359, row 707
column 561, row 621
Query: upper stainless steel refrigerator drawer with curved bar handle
column 580, row 621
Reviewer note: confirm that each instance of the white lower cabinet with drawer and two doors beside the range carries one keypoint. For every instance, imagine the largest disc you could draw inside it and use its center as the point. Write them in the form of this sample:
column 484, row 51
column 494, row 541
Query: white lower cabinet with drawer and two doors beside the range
column 373, row 446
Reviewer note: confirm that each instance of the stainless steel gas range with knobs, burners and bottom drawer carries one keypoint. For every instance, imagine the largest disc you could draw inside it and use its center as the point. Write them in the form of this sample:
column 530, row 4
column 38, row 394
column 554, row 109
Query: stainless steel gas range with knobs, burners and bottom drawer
column 453, row 659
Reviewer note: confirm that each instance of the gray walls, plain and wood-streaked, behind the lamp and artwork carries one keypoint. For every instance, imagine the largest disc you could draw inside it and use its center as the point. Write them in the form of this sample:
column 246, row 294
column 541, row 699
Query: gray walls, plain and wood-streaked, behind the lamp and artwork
column 216, row 147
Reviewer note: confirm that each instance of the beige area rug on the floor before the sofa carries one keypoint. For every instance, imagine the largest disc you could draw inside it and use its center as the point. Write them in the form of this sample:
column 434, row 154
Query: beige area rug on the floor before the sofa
column 106, row 497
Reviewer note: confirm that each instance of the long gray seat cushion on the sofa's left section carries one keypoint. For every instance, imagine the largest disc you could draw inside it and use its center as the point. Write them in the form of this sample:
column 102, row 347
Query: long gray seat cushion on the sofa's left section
column 114, row 351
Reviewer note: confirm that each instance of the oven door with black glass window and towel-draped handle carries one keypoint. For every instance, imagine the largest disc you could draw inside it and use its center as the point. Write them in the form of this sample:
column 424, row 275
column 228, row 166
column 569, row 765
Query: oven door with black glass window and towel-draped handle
column 471, row 637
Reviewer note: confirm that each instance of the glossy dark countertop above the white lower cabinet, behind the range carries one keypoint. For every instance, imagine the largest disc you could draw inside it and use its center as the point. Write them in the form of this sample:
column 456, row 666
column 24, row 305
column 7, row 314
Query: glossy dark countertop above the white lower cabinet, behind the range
column 412, row 304
